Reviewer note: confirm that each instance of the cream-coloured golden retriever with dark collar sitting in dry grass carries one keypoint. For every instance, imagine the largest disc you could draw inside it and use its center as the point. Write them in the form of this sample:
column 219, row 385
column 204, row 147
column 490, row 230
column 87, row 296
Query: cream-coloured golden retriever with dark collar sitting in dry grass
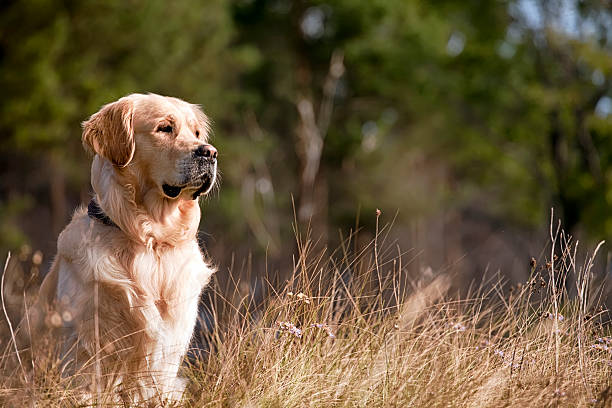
column 124, row 287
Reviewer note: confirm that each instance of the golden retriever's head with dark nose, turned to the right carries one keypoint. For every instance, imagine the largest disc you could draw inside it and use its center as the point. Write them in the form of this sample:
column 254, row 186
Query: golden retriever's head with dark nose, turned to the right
column 164, row 140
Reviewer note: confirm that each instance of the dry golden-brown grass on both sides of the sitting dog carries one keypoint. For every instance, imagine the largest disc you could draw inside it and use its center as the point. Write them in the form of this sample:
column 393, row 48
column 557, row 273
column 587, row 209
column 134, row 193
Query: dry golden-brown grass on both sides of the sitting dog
column 350, row 329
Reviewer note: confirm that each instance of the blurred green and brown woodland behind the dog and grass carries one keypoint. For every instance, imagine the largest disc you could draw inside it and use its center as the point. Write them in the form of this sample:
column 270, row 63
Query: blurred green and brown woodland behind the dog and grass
column 463, row 121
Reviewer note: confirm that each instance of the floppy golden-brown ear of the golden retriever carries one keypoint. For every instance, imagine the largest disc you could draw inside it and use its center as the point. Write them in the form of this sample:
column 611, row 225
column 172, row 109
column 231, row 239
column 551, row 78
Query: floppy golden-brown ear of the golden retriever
column 110, row 132
